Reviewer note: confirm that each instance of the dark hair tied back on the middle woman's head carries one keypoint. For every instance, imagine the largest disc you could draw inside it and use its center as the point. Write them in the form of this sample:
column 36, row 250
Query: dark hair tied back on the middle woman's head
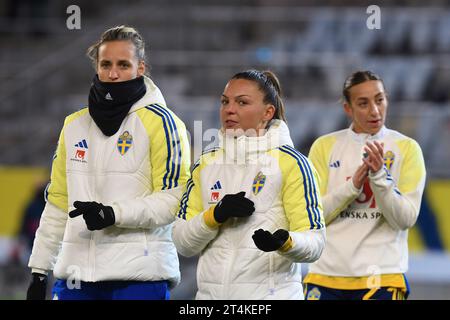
column 269, row 84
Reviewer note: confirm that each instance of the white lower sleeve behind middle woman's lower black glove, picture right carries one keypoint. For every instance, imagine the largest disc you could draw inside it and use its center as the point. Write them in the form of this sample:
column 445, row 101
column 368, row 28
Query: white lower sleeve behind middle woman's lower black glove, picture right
column 307, row 246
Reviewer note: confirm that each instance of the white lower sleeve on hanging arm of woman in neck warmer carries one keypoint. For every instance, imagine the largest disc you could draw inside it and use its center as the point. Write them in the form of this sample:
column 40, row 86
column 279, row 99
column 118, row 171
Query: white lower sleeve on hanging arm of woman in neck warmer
column 48, row 239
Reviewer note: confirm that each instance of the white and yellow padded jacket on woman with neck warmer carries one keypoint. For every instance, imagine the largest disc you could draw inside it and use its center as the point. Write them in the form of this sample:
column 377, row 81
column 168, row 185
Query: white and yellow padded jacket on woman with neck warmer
column 140, row 172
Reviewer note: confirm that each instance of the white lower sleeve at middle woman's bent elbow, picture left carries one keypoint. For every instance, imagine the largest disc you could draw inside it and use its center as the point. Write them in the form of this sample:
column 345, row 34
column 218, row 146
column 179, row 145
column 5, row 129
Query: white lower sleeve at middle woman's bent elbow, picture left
column 191, row 237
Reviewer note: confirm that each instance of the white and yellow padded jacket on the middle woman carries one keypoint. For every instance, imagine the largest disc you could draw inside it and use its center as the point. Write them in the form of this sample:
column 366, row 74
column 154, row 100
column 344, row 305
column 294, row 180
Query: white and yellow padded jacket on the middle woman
column 282, row 184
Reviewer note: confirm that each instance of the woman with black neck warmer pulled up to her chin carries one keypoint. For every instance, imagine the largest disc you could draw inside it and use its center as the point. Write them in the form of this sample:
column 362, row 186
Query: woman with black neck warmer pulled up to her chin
column 117, row 178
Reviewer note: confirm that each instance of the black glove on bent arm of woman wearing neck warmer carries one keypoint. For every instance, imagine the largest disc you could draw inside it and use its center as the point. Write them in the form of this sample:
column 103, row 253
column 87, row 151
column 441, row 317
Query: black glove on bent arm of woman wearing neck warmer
column 96, row 215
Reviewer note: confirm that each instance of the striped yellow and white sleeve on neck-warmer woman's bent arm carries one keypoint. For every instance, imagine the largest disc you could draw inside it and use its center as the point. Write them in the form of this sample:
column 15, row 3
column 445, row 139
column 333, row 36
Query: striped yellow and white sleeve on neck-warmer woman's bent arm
column 169, row 155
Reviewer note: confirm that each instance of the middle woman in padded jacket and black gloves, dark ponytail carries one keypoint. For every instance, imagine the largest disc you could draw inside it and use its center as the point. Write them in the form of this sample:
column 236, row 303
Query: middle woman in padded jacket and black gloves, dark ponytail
column 252, row 208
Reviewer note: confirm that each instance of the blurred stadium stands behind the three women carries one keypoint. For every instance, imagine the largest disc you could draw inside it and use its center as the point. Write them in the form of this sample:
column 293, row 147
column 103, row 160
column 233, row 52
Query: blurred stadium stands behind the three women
column 194, row 47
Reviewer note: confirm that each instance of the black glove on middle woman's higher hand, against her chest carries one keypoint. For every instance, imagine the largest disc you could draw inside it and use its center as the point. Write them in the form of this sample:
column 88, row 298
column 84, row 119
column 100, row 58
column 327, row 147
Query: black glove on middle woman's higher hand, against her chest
column 233, row 205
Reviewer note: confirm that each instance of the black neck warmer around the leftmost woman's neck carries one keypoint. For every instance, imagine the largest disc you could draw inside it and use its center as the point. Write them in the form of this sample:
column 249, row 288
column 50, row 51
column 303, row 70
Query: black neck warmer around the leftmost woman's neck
column 109, row 102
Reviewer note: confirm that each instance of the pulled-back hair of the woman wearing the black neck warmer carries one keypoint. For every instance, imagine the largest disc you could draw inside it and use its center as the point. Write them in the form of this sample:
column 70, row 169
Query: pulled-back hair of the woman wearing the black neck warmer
column 115, row 34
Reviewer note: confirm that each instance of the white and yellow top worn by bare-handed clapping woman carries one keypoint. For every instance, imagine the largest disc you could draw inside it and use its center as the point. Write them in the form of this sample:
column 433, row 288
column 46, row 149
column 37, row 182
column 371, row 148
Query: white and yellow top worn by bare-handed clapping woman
column 367, row 229
